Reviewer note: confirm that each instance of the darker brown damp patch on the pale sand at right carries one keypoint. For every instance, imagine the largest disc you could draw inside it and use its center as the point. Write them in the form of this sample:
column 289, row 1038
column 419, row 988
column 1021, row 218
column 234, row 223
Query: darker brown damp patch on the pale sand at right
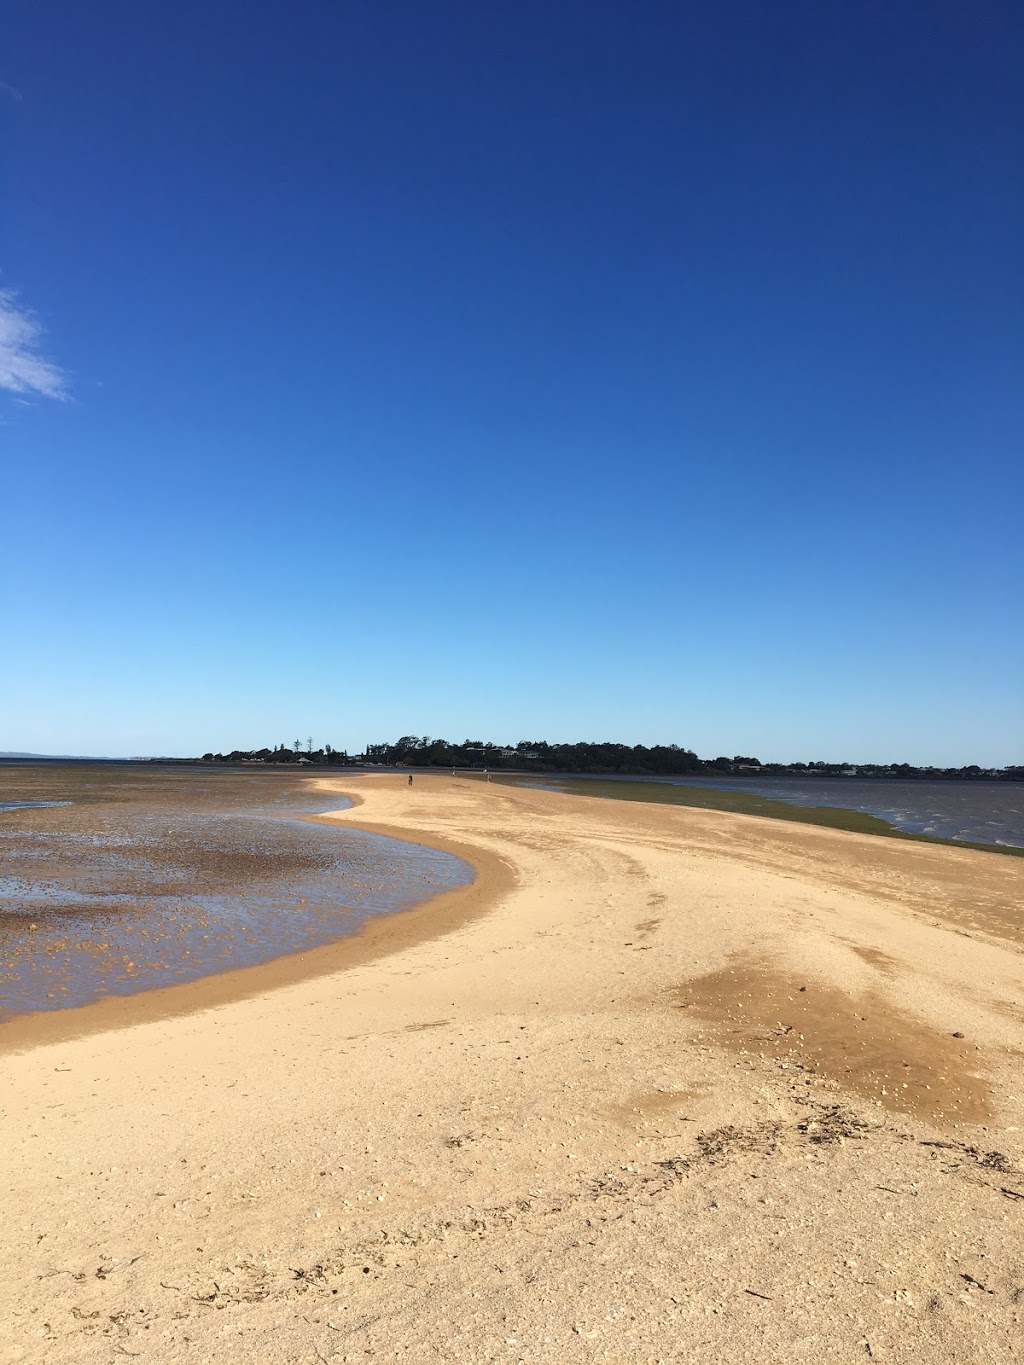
column 859, row 1041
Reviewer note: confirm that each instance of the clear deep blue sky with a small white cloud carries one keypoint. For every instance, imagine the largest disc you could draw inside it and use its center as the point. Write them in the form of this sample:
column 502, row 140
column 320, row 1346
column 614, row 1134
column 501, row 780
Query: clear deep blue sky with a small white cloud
column 640, row 372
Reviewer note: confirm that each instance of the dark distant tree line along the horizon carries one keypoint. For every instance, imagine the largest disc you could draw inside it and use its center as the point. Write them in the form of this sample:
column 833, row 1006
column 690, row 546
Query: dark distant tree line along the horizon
column 541, row 757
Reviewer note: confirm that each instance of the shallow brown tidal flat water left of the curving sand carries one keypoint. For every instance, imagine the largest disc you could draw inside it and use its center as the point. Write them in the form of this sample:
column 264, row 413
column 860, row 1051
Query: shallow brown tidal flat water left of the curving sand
column 154, row 880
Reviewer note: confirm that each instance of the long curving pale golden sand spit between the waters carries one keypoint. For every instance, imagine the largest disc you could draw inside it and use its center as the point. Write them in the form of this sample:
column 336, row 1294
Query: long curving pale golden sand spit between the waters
column 597, row 1119
